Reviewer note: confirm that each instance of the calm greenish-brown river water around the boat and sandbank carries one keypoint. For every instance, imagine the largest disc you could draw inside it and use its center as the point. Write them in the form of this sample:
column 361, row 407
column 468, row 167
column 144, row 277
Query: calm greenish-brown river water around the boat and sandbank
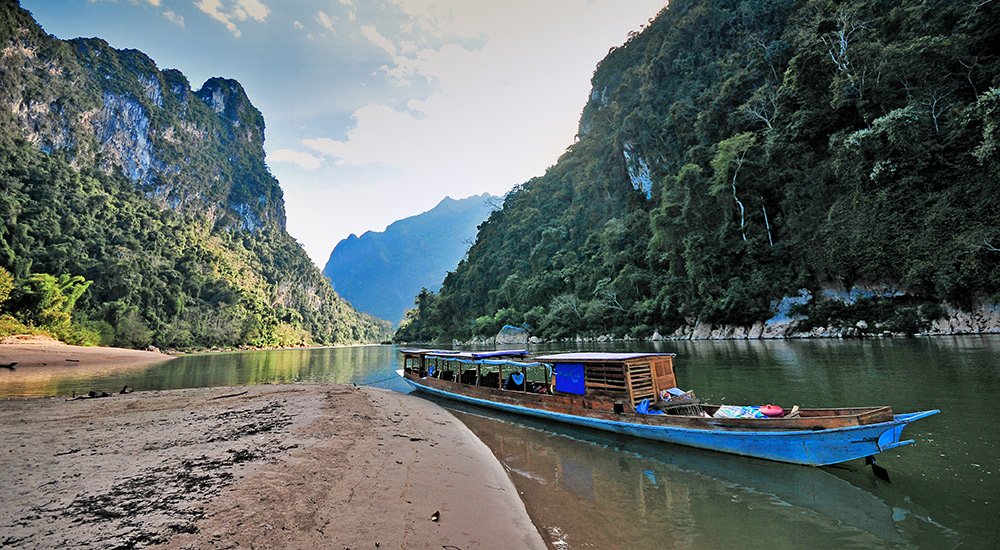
column 587, row 489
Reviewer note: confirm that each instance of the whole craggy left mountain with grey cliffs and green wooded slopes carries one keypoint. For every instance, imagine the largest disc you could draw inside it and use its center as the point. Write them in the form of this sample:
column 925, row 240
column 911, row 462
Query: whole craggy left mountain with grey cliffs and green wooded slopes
column 136, row 212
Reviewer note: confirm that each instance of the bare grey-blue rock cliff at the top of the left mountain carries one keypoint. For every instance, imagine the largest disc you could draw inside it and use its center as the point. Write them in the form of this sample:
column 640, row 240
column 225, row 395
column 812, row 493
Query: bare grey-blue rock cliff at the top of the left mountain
column 115, row 109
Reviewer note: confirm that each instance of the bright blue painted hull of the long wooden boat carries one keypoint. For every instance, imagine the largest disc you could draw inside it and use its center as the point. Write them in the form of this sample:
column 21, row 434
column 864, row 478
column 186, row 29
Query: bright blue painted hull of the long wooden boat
column 809, row 447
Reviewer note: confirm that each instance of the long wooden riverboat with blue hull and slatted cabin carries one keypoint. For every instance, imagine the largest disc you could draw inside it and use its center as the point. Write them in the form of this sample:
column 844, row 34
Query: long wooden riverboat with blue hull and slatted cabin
column 636, row 394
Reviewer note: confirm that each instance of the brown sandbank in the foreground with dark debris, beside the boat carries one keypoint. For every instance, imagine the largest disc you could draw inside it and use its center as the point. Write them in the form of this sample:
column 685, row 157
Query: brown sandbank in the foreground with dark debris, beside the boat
column 302, row 465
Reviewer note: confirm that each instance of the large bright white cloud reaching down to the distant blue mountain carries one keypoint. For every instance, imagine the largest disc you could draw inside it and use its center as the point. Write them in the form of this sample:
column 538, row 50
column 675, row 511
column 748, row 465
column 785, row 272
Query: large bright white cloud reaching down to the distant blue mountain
column 511, row 80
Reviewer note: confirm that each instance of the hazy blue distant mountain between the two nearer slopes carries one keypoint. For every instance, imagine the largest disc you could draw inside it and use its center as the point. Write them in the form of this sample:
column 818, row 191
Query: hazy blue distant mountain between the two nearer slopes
column 379, row 273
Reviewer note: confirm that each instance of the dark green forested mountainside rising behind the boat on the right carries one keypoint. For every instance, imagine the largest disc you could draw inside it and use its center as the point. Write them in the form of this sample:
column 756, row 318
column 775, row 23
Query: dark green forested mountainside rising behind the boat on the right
column 784, row 145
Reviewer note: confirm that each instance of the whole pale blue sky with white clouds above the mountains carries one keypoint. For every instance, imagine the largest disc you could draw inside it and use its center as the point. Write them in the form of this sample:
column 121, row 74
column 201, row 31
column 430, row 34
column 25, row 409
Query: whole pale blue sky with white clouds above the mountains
column 375, row 110
